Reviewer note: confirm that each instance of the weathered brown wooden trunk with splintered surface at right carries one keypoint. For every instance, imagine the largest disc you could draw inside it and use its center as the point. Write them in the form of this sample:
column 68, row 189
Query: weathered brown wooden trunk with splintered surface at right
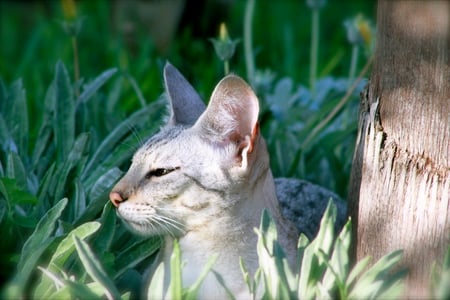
column 400, row 185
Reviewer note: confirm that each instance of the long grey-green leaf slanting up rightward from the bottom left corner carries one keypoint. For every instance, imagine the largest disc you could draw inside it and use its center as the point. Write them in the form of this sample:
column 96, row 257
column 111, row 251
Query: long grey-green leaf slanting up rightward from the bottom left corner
column 33, row 248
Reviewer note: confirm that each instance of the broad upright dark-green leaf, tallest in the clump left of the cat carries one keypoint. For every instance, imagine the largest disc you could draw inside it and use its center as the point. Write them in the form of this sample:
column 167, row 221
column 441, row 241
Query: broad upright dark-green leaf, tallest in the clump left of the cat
column 64, row 122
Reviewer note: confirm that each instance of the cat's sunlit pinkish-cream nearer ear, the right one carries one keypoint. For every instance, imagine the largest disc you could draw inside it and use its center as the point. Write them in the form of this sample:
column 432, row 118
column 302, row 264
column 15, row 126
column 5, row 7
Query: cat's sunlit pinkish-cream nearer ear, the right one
column 232, row 115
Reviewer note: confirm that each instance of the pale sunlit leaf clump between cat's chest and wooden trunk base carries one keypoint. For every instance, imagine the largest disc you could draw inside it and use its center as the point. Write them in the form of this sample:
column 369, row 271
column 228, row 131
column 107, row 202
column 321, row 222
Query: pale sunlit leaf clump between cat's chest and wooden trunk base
column 323, row 266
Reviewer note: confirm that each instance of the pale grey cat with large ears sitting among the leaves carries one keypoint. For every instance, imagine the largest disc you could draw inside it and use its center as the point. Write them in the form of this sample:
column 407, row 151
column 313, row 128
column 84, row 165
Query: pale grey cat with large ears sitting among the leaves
column 205, row 180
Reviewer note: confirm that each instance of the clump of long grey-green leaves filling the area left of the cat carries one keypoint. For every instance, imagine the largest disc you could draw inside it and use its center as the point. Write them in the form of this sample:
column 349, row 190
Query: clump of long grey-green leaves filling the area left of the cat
column 71, row 159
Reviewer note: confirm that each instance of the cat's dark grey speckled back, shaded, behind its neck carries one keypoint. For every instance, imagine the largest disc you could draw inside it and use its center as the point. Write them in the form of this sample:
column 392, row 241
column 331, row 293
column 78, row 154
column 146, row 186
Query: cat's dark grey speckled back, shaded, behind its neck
column 304, row 203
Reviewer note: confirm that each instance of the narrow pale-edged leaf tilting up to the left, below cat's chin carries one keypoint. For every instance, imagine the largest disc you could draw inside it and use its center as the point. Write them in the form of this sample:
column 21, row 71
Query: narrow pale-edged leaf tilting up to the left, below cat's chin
column 95, row 269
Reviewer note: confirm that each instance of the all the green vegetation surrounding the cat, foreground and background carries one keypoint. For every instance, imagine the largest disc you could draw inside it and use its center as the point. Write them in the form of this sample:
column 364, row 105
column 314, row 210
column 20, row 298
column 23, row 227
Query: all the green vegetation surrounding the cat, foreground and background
column 75, row 103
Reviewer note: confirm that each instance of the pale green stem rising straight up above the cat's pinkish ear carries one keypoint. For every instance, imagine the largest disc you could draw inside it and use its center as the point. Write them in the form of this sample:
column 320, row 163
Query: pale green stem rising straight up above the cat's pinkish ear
column 248, row 47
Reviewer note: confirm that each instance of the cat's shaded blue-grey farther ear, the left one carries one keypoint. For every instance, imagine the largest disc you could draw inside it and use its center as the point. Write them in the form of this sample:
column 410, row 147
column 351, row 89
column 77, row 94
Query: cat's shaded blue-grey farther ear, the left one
column 186, row 106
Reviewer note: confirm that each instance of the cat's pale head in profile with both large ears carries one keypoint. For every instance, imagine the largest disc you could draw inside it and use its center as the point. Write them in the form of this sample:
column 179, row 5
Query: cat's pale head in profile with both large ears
column 201, row 163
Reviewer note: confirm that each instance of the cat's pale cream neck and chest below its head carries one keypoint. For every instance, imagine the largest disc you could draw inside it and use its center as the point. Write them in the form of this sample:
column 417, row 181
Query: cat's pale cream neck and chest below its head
column 230, row 232
